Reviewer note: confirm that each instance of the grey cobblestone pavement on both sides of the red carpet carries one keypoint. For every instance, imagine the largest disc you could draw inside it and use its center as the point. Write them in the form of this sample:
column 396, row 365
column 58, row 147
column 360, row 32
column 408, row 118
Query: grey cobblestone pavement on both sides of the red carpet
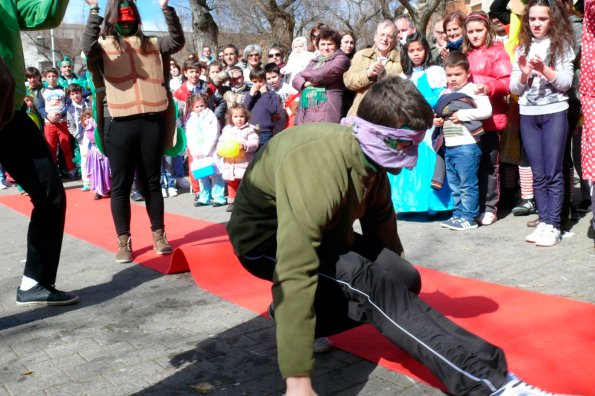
column 138, row 332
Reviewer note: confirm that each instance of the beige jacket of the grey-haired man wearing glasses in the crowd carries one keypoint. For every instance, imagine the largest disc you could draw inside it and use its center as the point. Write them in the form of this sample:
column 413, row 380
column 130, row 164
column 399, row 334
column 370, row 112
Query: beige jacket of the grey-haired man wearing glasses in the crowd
column 356, row 78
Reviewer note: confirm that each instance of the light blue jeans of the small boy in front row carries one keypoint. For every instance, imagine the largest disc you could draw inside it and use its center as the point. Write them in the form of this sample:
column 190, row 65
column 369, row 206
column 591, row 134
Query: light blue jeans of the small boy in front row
column 462, row 164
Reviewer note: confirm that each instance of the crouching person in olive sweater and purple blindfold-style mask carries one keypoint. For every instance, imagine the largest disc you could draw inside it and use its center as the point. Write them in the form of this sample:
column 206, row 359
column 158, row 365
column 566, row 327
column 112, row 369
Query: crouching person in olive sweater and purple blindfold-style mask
column 292, row 224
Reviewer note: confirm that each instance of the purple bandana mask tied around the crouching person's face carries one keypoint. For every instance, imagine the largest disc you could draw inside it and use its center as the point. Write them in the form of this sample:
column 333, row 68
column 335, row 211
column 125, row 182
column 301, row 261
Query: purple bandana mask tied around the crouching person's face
column 390, row 148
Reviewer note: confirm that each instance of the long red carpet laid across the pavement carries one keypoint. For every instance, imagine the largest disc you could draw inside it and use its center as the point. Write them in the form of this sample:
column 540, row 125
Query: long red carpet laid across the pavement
column 549, row 341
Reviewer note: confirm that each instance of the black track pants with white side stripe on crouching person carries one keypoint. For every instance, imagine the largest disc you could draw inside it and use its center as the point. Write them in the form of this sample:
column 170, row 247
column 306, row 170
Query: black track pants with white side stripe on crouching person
column 371, row 284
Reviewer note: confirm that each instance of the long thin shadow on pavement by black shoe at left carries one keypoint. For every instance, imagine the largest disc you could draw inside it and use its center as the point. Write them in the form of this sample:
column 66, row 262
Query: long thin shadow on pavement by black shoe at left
column 120, row 283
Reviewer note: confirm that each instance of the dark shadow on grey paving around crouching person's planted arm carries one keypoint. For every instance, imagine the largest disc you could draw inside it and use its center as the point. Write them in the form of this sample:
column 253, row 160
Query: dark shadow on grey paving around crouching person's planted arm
column 243, row 361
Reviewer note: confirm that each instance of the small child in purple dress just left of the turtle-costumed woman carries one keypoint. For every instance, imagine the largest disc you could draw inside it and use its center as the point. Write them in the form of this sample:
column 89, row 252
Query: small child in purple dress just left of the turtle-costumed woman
column 100, row 179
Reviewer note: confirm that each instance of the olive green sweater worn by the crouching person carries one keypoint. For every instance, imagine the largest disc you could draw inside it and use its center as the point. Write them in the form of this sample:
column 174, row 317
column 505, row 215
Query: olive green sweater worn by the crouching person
column 306, row 187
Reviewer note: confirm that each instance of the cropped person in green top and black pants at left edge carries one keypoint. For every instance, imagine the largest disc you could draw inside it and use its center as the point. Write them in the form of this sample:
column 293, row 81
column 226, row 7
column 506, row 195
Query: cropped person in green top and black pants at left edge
column 25, row 155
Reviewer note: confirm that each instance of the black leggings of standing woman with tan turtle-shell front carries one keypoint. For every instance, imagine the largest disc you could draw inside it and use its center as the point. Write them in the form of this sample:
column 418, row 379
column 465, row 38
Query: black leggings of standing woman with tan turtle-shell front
column 135, row 143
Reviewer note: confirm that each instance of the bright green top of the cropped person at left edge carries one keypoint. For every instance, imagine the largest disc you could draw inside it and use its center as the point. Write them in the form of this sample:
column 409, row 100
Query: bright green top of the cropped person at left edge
column 17, row 15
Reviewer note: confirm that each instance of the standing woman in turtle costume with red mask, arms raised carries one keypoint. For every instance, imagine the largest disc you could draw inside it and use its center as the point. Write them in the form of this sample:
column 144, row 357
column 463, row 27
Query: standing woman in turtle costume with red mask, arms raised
column 141, row 114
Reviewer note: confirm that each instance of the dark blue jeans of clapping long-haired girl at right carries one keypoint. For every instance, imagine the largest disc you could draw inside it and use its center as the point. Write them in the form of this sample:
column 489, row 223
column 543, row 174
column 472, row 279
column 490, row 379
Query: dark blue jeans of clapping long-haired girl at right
column 544, row 139
